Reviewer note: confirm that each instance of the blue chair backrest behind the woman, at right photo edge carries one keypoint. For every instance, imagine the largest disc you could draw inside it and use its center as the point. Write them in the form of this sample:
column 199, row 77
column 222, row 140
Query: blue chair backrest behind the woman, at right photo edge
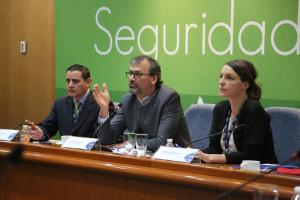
column 285, row 124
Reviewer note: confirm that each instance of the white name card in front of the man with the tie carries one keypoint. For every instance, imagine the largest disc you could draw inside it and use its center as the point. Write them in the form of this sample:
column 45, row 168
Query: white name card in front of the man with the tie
column 79, row 143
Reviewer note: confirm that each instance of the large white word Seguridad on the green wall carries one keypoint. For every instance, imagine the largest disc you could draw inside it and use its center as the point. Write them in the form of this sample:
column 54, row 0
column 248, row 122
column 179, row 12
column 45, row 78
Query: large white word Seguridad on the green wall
column 126, row 34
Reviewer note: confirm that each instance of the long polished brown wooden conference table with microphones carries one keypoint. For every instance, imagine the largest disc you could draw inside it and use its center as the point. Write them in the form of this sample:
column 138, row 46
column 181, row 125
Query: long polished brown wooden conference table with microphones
column 51, row 172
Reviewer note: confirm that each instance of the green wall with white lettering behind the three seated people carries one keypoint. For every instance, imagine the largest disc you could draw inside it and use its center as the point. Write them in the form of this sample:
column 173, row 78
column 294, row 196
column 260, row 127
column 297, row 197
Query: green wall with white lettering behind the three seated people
column 191, row 39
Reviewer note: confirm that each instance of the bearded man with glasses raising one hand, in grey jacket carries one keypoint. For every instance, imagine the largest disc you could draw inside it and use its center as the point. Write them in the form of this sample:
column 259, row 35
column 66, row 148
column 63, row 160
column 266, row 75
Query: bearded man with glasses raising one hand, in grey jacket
column 150, row 107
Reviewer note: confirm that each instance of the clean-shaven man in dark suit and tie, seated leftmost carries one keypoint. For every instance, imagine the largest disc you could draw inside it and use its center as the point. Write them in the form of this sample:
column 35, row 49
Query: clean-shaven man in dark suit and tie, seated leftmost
column 75, row 114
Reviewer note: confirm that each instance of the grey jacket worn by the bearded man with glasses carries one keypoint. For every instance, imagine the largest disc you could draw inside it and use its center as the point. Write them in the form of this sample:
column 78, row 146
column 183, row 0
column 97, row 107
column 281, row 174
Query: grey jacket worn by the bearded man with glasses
column 160, row 117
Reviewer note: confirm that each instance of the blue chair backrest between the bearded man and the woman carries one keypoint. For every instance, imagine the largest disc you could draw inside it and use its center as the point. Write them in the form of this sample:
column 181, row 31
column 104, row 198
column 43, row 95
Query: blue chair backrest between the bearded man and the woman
column 198, row 118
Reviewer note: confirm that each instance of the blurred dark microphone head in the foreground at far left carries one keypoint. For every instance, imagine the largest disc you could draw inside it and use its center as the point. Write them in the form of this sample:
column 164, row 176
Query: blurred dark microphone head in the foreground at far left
column 13, row 158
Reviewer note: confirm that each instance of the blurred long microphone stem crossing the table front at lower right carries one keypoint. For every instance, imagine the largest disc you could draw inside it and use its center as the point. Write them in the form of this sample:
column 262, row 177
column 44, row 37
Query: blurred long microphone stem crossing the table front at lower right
column 225, row 194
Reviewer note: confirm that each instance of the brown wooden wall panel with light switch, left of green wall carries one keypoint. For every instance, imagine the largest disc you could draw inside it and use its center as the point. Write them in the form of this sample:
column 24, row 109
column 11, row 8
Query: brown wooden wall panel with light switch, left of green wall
column 28, row 79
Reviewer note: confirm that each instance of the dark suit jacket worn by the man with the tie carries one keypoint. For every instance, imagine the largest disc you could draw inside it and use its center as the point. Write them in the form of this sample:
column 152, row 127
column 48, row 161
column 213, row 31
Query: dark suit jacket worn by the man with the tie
column 60, row 118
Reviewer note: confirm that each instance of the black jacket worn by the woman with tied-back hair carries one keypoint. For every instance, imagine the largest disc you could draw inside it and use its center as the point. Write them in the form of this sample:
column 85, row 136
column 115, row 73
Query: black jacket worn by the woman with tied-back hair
column 254, row 142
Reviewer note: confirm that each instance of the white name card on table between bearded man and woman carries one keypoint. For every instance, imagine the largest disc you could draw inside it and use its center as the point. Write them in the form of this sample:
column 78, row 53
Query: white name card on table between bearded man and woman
column 175, row 154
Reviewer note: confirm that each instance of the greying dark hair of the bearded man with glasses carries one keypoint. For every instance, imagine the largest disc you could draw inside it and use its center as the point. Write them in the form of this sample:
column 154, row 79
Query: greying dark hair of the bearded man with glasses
column 154, row 68
